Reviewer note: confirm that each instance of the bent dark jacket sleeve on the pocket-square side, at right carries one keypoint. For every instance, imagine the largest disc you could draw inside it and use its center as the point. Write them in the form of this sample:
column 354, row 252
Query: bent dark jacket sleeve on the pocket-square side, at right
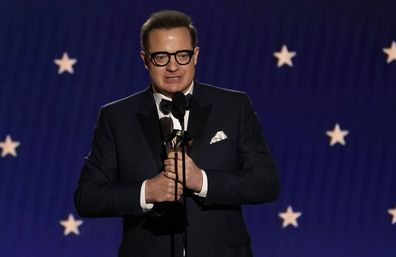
column 256, row 181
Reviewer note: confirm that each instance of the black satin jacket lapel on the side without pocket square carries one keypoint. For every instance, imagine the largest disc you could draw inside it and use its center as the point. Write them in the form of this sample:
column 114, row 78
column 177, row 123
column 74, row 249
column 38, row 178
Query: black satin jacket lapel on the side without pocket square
column 149, row 122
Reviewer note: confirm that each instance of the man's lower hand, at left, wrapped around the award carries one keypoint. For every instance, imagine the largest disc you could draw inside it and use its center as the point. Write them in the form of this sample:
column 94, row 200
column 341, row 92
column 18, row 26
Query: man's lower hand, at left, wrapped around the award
column 162, row 189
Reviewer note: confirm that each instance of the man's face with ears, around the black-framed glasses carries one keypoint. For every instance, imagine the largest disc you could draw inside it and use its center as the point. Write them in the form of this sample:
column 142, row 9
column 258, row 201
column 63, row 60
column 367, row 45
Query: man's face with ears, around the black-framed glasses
column 172, row 77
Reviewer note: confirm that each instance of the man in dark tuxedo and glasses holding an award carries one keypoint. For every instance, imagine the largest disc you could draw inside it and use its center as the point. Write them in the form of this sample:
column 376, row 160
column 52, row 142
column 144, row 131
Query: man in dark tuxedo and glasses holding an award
column 129, row 174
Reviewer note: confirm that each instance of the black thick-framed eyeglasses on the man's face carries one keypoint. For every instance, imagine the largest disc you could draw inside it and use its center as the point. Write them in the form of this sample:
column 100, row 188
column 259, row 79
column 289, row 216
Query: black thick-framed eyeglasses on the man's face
column 162, row 58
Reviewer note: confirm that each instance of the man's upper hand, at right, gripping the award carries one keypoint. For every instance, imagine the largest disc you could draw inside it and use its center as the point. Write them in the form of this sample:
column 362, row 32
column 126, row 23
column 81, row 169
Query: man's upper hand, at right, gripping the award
column 174, row 170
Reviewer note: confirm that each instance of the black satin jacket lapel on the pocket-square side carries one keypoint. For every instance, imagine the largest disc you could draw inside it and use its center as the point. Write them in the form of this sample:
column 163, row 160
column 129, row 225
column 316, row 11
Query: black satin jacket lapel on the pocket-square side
column 199, row 114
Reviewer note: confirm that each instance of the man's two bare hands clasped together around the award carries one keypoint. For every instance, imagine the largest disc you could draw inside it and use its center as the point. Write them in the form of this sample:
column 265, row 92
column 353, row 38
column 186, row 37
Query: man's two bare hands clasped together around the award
column 162, row 187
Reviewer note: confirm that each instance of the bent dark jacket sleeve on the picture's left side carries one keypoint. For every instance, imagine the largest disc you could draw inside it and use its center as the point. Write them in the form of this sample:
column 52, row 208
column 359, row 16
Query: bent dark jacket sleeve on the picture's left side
column 99, row 192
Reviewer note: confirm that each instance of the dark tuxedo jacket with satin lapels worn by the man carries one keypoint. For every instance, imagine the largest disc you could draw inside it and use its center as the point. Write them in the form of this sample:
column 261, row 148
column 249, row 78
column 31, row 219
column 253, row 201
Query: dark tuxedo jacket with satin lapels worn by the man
column 126, row 150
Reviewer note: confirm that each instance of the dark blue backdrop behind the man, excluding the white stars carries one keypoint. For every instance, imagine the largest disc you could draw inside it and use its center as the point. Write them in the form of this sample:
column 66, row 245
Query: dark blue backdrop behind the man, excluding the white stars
column 340, row 74
